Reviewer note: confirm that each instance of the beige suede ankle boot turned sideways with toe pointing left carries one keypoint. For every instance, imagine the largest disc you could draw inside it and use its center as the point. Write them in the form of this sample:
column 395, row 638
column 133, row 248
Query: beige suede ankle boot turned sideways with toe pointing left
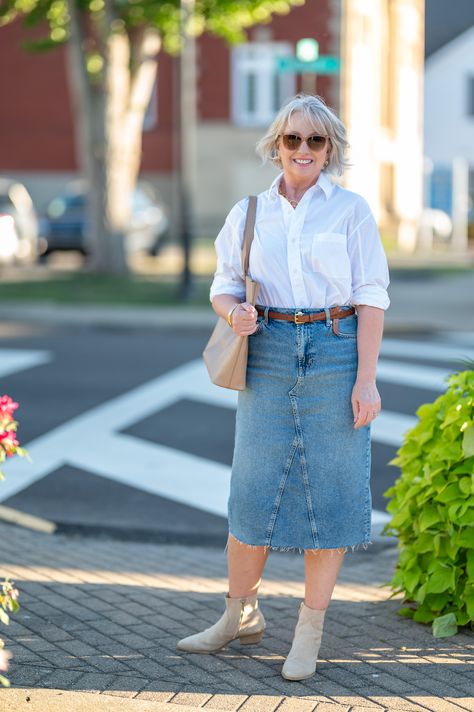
column 242, row 619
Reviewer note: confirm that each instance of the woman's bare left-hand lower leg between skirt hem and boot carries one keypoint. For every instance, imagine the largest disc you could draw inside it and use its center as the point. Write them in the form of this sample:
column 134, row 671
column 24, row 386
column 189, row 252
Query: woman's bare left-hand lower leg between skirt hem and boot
column 245, row 566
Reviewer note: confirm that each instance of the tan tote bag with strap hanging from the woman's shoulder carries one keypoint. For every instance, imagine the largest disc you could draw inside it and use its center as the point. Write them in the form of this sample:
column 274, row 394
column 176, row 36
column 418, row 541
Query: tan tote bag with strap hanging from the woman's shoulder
column 226, row 353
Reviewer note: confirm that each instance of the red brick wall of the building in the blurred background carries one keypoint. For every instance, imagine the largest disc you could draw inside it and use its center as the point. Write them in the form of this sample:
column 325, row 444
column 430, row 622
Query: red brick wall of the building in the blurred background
column 36, row 127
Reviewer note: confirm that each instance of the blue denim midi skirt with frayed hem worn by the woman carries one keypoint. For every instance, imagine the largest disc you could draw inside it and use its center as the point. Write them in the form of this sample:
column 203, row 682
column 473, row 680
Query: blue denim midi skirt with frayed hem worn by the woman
column 300, row 473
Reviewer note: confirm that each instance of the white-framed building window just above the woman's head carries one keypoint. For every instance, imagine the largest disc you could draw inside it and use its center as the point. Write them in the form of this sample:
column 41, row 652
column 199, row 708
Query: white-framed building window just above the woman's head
column 258, row 90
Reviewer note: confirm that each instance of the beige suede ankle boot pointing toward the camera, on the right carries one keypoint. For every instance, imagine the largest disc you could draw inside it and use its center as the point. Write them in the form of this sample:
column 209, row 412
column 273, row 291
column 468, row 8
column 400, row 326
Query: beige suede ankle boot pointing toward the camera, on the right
column 301, row 660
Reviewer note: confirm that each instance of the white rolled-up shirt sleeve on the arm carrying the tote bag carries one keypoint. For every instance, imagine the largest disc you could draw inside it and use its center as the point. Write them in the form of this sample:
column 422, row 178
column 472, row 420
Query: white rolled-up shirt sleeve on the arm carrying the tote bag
column 228, row 277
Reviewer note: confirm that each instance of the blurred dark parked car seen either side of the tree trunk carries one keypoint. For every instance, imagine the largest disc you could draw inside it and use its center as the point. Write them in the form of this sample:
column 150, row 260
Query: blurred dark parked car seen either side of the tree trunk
column 65, row 224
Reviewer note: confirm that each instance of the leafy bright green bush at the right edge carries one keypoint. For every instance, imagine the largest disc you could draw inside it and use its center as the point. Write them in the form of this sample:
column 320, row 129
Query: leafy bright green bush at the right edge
column 432, row 504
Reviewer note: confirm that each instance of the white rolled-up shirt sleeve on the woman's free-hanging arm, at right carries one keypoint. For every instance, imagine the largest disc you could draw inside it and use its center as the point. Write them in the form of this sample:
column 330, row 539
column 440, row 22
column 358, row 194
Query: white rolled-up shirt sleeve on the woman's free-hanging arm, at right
column 370, row 277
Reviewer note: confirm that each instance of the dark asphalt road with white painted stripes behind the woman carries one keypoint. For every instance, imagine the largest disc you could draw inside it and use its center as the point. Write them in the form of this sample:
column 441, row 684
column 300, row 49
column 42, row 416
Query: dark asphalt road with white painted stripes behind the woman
column 129, row 440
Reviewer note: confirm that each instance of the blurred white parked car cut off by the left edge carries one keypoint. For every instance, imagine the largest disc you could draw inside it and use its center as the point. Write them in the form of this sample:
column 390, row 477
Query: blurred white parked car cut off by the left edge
column 18, row 223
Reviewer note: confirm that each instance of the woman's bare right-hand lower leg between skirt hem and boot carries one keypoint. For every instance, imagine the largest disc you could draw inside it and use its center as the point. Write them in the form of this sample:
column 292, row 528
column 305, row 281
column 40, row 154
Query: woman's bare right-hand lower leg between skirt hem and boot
column 321, row 572
